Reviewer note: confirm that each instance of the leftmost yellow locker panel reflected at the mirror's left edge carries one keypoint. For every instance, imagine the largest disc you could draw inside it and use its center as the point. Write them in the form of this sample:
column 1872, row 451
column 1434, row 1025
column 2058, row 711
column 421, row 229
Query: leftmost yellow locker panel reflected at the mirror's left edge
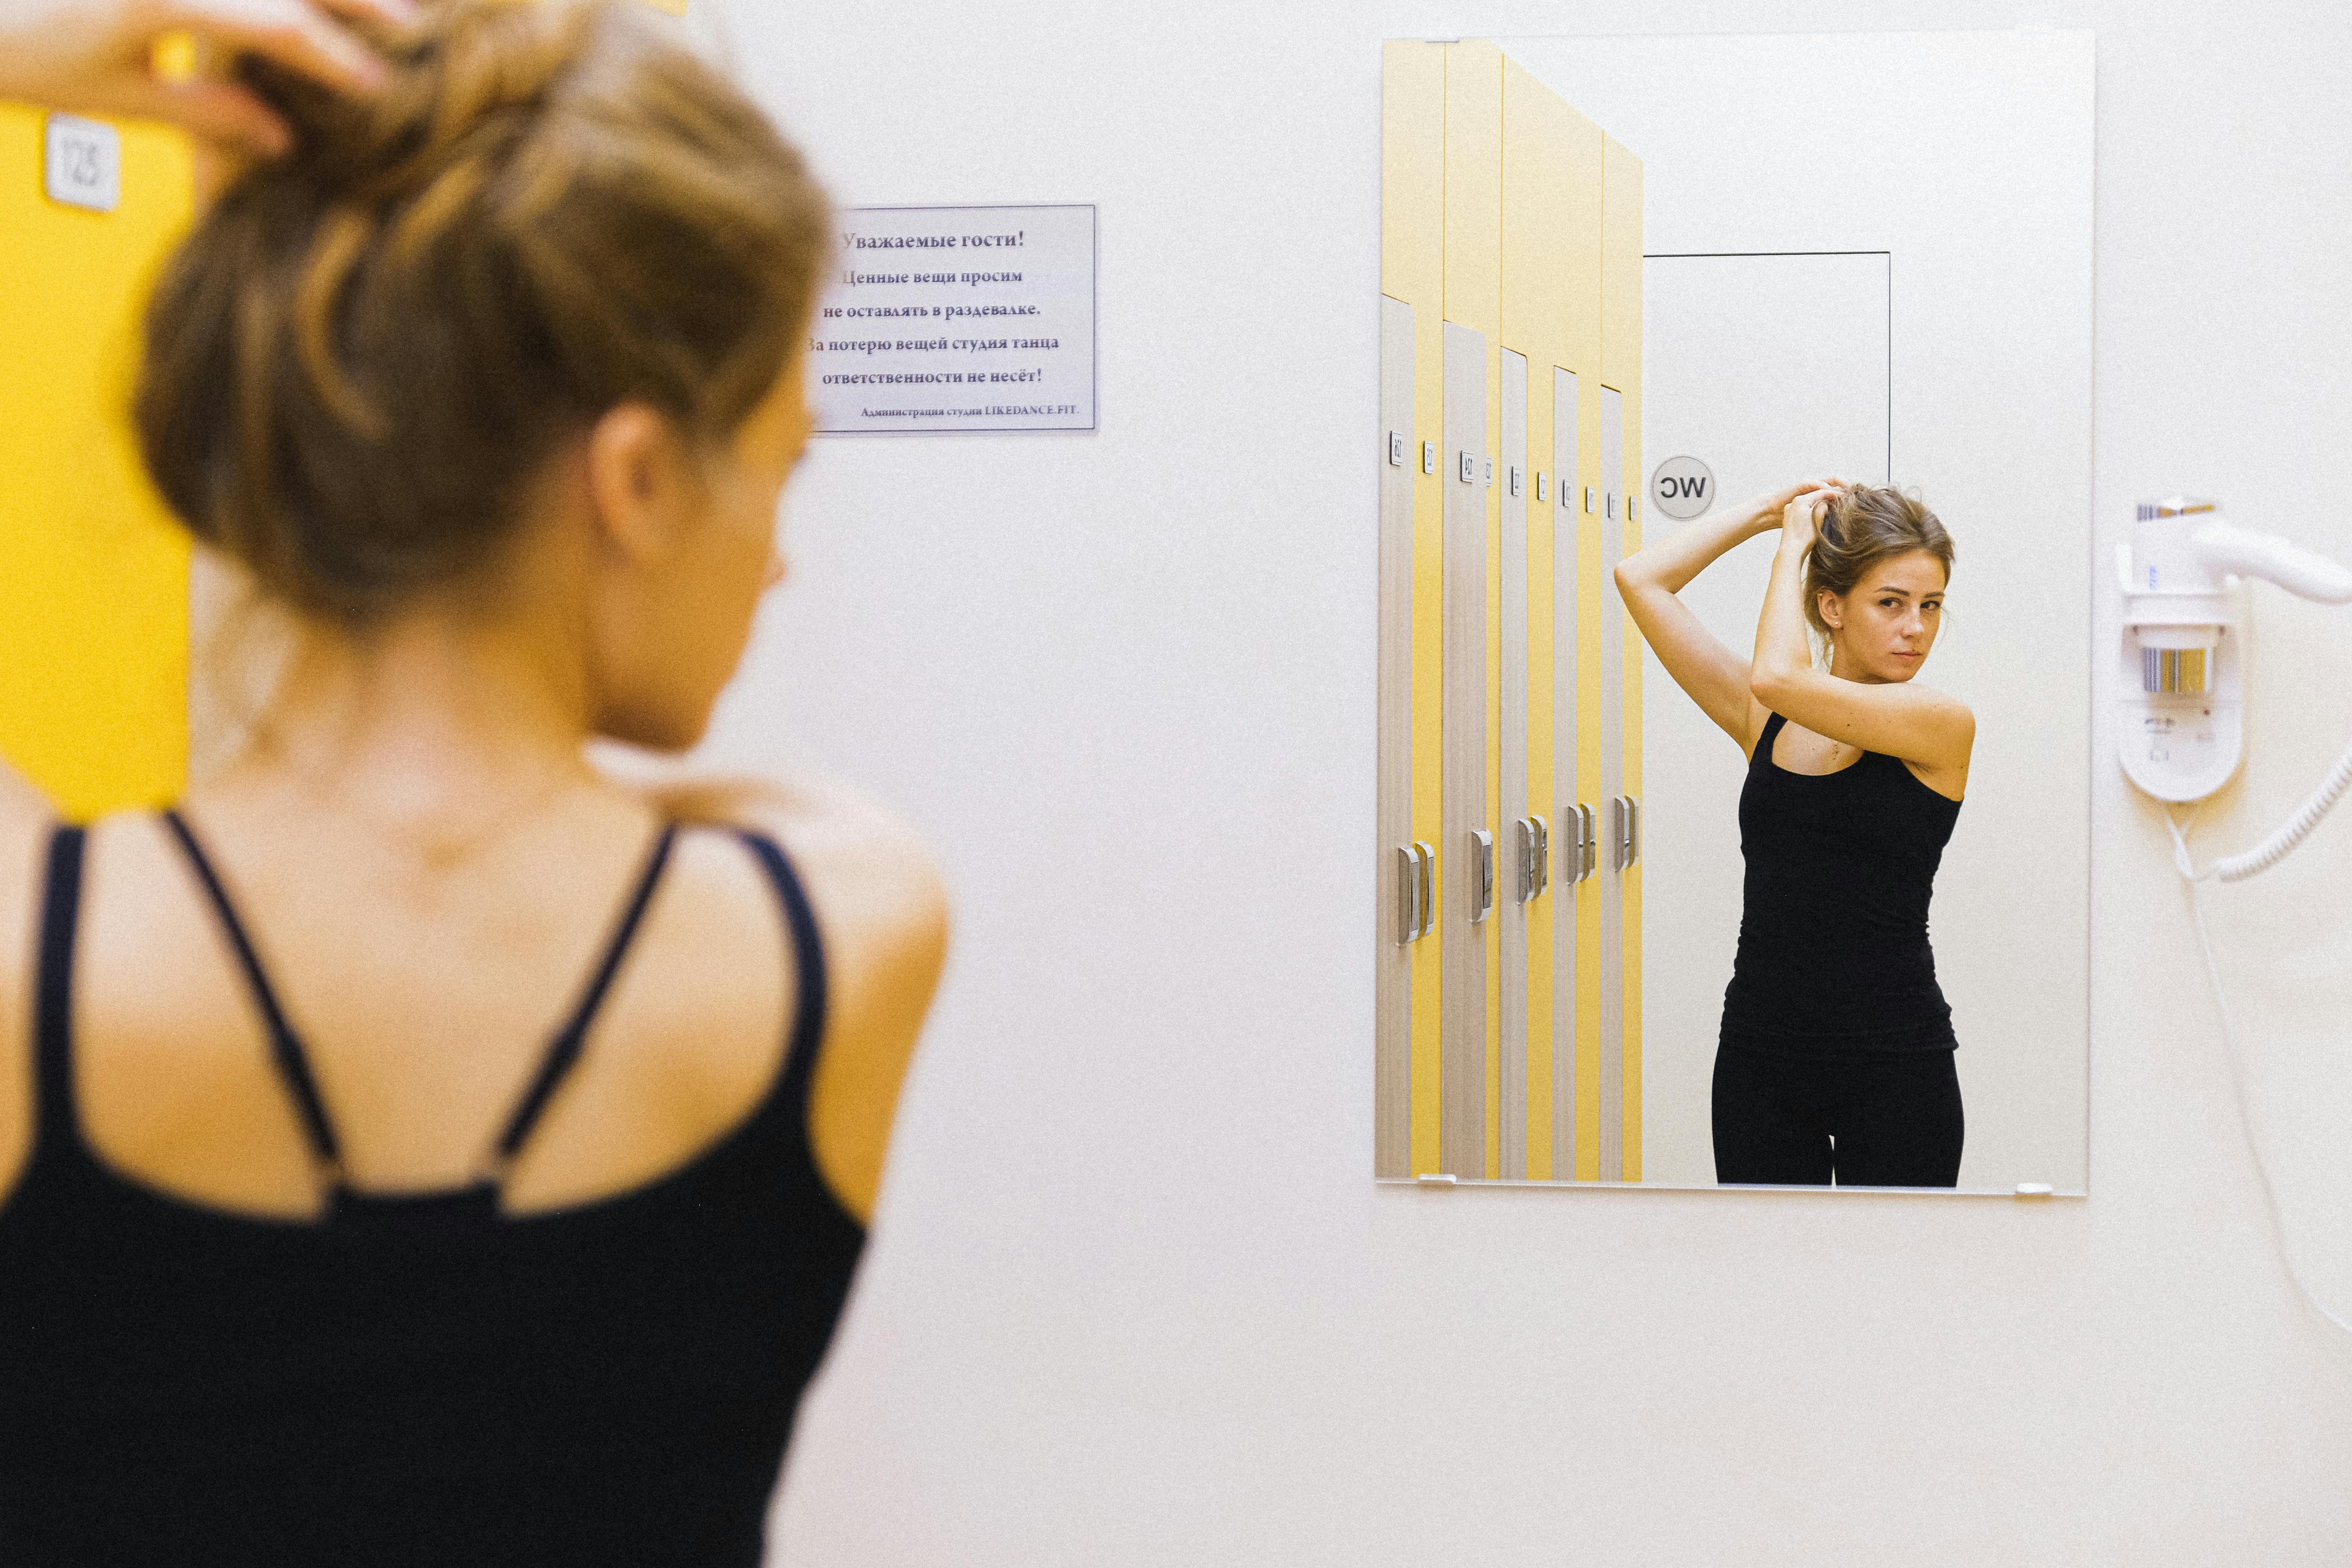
column 1412, row 272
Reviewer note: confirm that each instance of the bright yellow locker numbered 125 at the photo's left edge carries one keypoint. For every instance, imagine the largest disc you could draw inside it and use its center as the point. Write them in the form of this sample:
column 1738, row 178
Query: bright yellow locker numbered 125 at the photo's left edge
column 93, row 570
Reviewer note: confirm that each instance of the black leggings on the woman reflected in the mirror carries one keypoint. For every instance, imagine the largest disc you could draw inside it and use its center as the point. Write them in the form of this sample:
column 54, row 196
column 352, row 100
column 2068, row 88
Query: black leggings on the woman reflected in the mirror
column 1859, row 1120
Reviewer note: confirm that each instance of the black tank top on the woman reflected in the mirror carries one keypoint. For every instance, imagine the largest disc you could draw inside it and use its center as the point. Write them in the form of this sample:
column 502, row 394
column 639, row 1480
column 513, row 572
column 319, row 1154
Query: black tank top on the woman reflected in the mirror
column 1833, row 920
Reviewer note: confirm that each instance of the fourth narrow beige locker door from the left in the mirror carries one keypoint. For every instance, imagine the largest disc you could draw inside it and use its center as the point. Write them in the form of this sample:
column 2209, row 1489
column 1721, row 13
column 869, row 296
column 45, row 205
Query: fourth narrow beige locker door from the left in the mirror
column 1570, row 850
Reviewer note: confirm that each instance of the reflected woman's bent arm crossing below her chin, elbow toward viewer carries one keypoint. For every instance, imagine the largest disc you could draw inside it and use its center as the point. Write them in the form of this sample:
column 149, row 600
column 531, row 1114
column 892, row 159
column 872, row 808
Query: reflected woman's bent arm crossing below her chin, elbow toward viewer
column 1906, row 721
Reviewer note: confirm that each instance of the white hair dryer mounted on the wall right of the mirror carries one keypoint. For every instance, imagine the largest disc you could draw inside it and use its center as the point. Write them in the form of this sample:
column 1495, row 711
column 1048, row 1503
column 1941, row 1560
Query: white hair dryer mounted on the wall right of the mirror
column 2184, row 732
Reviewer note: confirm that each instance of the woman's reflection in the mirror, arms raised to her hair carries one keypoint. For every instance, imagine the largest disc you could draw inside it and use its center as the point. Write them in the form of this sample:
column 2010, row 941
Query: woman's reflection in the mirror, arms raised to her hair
column 1836, row 1054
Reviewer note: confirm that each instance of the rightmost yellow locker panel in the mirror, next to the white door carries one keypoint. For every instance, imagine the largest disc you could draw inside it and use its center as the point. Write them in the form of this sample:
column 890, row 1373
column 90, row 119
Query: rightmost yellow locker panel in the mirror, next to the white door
column 1622, row 366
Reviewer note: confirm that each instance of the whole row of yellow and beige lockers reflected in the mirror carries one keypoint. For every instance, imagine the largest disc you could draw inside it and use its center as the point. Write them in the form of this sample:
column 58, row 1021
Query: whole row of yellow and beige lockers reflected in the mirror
column 1509, row 1031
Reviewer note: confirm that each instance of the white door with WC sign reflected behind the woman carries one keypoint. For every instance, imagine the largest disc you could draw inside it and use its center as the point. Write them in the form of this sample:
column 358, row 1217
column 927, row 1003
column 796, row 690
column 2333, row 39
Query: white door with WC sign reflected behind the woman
column 1768, row 370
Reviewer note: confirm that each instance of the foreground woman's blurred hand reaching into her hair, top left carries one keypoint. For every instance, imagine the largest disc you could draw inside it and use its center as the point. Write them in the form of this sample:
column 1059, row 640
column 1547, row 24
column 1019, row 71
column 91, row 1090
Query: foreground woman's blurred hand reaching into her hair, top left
column 100, row 58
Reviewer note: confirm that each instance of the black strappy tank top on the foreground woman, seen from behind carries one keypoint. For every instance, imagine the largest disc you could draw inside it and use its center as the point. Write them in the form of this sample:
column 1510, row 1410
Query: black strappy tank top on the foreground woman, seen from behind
column 413, row 1379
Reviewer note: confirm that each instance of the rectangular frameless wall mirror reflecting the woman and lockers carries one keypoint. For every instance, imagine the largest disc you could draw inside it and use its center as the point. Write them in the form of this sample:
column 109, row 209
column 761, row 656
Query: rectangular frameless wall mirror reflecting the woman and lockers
column 1631, row 283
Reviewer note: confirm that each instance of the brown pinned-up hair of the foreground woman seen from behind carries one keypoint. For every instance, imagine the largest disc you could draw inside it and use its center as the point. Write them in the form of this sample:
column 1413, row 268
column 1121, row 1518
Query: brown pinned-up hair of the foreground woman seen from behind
column 366, row 351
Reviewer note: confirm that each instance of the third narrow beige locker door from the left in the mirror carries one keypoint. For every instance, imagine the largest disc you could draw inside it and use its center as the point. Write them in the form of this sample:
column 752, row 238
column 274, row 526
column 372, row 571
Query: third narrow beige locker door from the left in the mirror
column 1516, row 840
